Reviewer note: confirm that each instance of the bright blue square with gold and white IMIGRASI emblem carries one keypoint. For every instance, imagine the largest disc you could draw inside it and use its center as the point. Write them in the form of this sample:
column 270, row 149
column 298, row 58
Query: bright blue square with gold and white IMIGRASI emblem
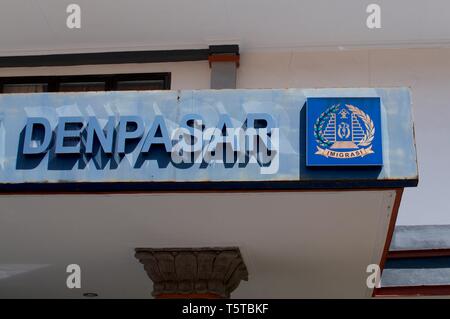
column 343, row 132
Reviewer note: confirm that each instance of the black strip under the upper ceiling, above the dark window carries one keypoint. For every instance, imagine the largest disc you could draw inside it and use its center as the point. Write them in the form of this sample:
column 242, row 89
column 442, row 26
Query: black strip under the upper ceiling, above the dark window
column 119, row 57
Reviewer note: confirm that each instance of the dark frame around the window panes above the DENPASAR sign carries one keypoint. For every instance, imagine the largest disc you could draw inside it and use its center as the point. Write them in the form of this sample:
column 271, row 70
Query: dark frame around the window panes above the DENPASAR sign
column 54, row 81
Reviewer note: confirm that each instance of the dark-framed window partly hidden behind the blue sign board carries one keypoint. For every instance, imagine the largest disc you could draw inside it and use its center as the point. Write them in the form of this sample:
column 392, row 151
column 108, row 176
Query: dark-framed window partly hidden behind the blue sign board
column 84, row 83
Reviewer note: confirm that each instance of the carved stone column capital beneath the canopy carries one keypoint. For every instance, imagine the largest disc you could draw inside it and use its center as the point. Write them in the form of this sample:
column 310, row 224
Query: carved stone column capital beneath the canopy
column 193, row 271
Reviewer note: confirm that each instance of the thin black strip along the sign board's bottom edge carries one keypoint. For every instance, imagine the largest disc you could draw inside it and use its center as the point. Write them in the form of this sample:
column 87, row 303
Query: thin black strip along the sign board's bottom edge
column 200, row 186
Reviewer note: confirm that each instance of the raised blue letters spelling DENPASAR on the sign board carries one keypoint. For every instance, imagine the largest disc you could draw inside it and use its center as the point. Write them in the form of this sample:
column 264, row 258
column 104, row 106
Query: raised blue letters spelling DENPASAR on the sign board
column 254, row 141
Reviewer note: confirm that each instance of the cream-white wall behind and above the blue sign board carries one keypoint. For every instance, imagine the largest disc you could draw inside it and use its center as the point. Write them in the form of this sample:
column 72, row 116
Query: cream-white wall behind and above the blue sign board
column 426, row 71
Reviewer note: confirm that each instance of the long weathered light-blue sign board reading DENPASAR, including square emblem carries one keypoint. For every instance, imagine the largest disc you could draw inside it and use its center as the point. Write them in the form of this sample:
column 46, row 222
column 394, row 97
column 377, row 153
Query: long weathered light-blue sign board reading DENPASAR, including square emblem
column 215, row 136
